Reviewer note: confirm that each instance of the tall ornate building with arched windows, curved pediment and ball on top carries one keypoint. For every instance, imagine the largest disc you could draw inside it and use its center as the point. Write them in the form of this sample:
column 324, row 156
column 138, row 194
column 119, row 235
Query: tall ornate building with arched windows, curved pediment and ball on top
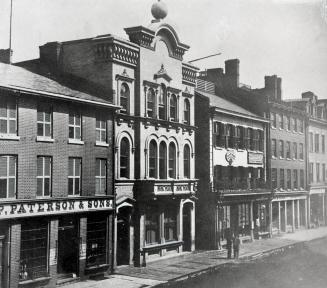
column 154, row 131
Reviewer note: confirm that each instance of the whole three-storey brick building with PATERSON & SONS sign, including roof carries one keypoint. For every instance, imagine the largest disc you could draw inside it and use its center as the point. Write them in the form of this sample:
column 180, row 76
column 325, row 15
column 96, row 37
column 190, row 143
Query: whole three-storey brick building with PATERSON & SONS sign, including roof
column 56, row 181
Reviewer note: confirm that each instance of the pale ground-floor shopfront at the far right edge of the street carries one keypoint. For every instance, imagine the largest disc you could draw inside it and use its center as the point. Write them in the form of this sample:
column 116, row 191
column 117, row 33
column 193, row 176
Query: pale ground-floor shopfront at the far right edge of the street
column 317, row 206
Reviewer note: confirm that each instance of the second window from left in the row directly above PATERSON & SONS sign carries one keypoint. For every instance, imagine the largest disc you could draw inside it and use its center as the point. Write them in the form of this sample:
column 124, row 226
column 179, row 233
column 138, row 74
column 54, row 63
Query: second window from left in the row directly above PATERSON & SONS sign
column 43, row 176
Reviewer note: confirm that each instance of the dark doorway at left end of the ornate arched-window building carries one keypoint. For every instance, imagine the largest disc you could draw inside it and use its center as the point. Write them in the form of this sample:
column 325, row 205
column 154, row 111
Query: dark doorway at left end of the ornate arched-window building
column 123, row 238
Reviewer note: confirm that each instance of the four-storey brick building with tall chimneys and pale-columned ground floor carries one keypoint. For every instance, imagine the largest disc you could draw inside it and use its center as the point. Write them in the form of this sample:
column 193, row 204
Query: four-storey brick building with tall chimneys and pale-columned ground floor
column 286, row 152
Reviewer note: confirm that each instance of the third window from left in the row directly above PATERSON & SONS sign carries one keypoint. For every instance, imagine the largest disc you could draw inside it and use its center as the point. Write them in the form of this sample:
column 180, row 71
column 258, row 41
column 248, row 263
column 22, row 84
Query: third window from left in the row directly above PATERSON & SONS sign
column 74, row 176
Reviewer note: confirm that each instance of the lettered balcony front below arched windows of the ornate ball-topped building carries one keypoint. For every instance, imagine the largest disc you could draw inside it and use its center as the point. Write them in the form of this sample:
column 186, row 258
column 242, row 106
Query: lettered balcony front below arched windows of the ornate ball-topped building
column 167, row 186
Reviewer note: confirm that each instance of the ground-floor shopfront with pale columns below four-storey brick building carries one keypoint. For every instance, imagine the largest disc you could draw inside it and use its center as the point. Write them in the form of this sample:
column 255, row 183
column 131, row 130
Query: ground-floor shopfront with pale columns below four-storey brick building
column 289, row 211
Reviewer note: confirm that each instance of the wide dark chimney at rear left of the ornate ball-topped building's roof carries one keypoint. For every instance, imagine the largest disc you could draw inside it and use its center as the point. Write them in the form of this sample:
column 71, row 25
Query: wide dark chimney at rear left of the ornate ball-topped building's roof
column 50, row 54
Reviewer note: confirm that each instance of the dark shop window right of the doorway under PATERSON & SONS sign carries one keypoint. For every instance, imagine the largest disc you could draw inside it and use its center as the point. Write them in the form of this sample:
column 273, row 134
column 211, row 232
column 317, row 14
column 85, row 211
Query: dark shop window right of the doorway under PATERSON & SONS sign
column 96, row 240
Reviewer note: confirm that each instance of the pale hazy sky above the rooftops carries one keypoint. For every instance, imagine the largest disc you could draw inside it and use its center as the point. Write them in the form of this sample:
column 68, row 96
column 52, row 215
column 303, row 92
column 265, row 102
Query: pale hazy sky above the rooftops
column 283, row 37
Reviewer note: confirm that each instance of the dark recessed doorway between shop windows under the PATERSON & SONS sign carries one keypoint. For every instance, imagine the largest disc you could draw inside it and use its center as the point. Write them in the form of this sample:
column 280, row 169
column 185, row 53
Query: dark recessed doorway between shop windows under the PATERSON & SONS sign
column 67, row 247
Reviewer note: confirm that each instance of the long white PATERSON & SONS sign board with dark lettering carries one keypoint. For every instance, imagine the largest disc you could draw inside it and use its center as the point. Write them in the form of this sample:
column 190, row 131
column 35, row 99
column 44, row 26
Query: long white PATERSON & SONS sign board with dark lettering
column 54, row 206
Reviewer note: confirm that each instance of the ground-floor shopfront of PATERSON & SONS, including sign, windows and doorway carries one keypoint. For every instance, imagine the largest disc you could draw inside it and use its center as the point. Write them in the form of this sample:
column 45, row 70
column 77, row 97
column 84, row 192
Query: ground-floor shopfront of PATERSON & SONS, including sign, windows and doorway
column 46, row 243
